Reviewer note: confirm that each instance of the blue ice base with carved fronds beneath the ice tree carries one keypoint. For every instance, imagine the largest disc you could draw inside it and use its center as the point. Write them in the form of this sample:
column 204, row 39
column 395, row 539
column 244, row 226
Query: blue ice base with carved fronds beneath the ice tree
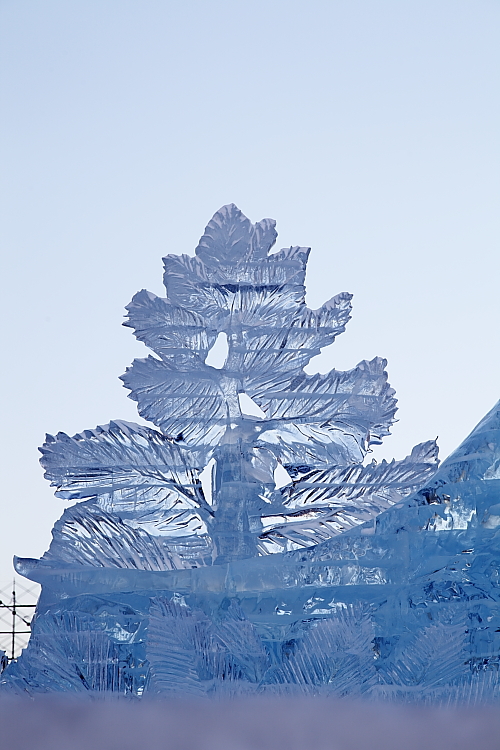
column 405, row 608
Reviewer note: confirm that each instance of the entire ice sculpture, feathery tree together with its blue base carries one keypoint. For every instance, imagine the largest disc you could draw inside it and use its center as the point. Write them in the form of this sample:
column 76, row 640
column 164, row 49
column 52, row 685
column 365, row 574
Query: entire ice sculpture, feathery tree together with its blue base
column 353, row 578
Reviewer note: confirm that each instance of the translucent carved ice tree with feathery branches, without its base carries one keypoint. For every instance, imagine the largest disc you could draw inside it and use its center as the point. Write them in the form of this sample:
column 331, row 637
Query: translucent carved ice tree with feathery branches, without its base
column 144, row 506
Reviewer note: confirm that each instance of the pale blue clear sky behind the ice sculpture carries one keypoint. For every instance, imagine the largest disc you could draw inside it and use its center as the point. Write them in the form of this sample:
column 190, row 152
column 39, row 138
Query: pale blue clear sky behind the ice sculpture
column 369, row 129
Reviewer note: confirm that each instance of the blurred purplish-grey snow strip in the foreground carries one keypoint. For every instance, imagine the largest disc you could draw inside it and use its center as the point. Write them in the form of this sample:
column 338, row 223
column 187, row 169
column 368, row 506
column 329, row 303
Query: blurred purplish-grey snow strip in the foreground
column 242, row 724
